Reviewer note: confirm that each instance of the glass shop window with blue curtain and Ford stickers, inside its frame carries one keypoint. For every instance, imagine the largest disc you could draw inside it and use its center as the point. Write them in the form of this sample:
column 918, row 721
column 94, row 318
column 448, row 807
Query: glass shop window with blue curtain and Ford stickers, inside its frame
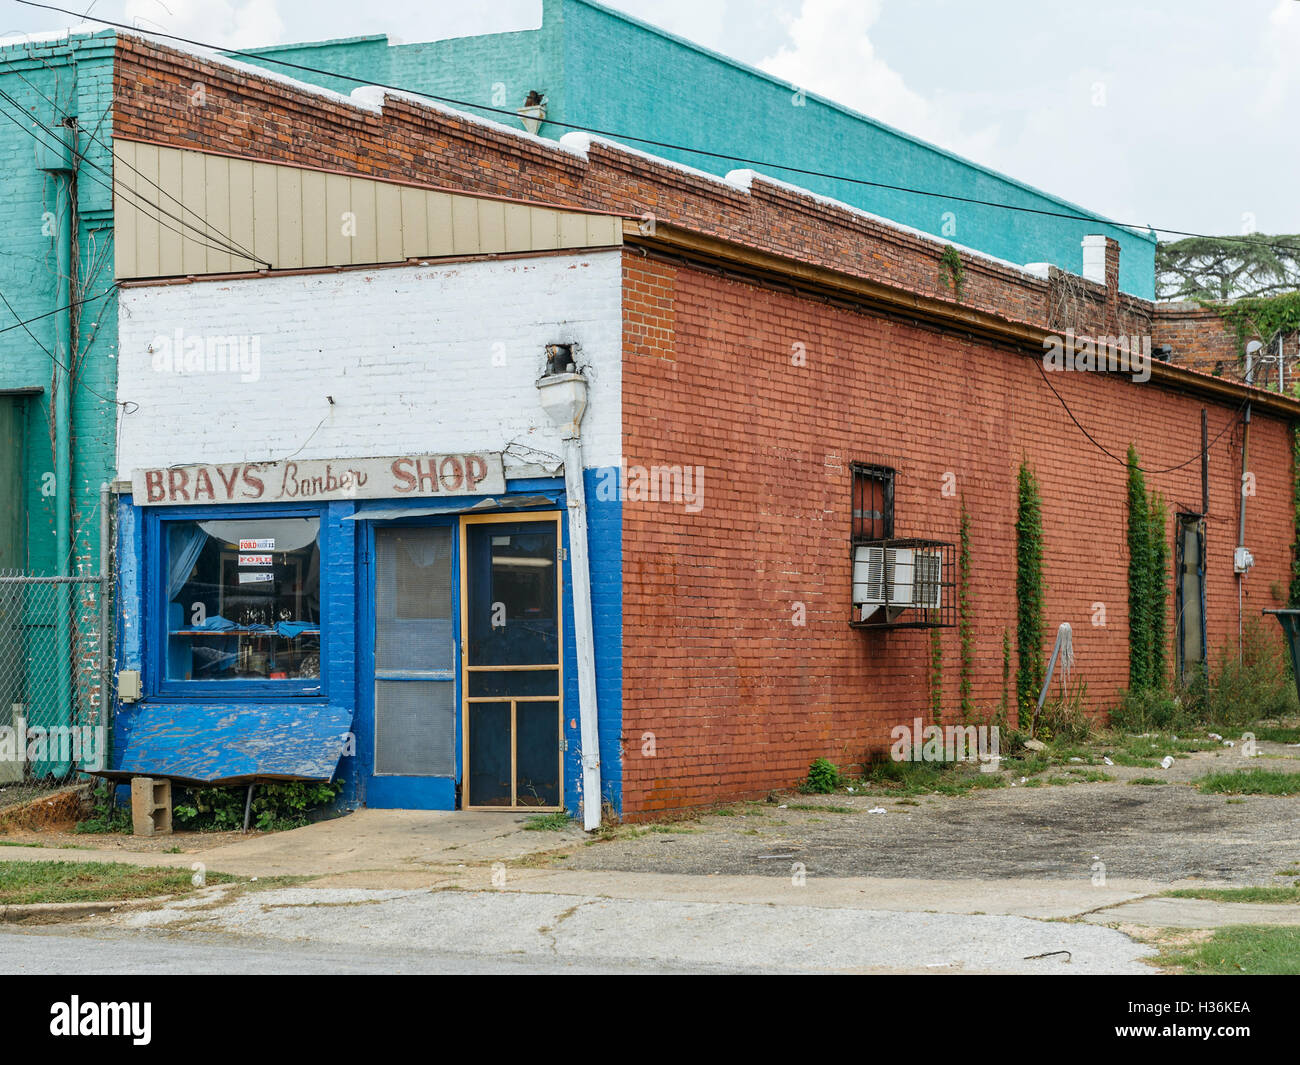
column 242, row 600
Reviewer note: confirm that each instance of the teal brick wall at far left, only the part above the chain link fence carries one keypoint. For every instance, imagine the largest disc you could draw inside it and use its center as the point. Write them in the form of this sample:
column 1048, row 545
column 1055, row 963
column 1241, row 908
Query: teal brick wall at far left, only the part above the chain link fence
column 71, row 77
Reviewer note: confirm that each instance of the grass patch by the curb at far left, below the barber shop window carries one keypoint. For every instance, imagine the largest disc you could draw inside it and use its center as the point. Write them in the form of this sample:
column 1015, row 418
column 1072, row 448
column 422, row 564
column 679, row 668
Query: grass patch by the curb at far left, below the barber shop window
column 23, row 884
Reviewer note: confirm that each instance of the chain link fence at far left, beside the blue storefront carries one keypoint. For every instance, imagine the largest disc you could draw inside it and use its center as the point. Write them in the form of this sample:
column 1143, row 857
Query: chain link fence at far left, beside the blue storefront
column 54, row 670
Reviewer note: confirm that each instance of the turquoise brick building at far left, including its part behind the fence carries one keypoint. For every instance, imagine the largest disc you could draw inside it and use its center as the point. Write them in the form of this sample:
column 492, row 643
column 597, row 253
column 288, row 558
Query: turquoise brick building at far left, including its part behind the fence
column 58, row 373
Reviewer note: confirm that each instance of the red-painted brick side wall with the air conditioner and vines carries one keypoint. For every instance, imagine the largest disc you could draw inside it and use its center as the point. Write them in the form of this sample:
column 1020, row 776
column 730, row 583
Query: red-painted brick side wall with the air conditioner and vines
column 742, row 700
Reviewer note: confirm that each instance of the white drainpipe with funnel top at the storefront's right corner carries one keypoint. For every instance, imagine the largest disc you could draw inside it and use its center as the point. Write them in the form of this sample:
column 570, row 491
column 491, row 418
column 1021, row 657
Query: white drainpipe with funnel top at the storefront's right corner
column 565, row 400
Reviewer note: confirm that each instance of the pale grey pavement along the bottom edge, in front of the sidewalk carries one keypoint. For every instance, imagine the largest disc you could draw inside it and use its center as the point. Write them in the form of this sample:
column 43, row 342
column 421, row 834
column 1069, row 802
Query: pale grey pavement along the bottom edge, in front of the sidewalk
column 354, row 930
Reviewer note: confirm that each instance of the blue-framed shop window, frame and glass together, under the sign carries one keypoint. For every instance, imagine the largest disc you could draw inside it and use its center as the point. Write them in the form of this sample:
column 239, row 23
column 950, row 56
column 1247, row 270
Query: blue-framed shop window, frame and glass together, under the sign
column 237, row 603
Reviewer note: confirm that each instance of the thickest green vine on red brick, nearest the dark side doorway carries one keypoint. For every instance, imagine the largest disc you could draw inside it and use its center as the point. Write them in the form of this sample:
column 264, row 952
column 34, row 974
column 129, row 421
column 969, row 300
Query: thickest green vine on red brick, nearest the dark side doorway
column 1149, row 585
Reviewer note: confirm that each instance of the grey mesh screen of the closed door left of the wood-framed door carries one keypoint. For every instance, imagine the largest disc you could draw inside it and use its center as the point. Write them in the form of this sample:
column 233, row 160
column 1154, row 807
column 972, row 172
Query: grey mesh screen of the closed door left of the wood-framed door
column 415, row 681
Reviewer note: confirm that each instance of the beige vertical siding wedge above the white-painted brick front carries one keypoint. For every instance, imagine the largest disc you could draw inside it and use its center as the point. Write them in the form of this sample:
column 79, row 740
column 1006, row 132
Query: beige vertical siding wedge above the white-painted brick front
column 193, row 206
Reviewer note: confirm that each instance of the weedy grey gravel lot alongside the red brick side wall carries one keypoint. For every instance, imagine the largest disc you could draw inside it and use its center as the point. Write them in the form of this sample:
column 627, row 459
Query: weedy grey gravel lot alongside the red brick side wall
column 1156, row 833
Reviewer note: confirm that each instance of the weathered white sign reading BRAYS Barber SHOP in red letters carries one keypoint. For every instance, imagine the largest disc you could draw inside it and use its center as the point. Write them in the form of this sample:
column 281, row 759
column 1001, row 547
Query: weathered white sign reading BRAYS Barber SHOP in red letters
column 406, row 477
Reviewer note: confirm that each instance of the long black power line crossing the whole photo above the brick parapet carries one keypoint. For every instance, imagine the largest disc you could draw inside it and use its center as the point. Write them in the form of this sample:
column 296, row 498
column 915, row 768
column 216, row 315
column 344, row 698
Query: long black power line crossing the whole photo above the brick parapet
column 666, row 145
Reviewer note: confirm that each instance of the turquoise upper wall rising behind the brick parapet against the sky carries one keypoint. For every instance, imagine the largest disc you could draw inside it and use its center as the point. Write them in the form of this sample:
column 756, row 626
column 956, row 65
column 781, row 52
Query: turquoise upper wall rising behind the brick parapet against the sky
column 605, row 71
